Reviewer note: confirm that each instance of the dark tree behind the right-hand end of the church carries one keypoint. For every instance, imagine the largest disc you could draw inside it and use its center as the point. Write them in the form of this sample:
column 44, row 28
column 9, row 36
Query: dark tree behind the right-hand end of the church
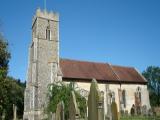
column 152, row 74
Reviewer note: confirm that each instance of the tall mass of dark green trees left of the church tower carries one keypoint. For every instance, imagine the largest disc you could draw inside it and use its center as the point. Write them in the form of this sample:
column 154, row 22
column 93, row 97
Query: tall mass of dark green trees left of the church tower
column 11, row 90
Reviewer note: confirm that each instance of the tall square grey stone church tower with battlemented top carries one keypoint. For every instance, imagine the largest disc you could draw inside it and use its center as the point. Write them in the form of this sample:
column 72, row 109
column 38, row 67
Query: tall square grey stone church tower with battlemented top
column 43, row 63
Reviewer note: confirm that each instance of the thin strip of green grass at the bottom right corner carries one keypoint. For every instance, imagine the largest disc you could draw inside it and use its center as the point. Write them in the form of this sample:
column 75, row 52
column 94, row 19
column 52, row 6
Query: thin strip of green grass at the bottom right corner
column 140, row 118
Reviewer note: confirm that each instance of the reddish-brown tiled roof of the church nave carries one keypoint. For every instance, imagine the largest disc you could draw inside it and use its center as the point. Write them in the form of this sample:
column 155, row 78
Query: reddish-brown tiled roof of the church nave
column 74, row 70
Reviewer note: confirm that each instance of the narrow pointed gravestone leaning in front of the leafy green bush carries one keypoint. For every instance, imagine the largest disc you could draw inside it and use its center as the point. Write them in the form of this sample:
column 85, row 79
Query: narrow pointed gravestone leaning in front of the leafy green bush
column 74, row 113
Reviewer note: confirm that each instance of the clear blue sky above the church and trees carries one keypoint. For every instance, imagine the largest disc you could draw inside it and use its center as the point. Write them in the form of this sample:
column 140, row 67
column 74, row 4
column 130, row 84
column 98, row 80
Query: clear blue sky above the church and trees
column 119, row 32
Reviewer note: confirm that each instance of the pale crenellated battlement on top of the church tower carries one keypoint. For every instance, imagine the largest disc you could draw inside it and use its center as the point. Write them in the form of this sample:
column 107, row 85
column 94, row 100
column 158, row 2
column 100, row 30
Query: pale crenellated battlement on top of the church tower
column 46, row 15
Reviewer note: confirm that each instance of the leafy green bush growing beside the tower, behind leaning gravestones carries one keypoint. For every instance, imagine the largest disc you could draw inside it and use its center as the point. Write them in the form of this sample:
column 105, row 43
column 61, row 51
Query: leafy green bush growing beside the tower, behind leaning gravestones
column 61, row 92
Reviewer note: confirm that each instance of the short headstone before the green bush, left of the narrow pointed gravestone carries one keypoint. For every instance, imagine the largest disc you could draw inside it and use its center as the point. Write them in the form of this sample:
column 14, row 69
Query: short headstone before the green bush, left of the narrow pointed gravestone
column 60, row 111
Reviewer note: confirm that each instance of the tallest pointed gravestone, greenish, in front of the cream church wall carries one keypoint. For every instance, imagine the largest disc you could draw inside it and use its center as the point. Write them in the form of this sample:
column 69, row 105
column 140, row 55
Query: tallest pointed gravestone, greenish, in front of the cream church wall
column 95, row 103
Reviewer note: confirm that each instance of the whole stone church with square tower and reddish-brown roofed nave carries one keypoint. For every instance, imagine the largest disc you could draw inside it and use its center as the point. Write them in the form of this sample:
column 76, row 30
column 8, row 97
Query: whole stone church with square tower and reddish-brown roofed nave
column 45, row 66
